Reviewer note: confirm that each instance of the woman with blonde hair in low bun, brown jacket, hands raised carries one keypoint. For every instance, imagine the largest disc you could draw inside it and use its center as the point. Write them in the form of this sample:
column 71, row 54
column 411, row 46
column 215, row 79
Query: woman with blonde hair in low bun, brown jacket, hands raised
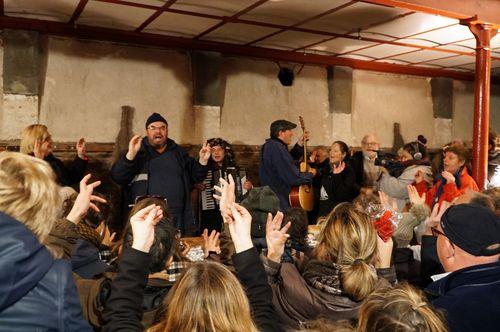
column 344, row 270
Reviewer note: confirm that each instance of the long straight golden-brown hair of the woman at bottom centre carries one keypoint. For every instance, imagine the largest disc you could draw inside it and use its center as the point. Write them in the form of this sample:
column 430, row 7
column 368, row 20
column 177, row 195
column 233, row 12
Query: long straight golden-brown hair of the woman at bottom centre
column 207, row 298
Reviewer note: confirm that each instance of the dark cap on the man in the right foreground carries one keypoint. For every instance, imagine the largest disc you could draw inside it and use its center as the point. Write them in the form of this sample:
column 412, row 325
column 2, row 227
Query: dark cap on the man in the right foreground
column 473, row 228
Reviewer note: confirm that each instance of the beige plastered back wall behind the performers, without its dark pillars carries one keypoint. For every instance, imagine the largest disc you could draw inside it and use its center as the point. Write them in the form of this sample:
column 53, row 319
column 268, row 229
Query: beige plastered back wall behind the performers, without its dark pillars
column 86, row 83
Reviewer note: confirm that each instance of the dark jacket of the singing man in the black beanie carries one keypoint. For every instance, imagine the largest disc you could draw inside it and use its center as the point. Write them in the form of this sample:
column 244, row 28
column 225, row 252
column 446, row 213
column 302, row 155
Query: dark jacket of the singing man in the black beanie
column 170, row 174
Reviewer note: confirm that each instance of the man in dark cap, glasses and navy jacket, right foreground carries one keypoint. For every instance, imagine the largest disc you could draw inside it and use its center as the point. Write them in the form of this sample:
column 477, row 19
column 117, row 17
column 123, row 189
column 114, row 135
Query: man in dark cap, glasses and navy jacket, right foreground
column 468, row 247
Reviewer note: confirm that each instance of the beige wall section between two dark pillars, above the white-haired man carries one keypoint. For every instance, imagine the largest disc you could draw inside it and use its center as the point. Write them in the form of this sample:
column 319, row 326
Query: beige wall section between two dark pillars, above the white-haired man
column 381, row 99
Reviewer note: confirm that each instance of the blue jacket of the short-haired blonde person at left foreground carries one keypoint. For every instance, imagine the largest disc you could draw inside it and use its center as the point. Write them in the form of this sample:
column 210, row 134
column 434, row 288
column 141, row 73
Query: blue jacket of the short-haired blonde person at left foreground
column 37, row 293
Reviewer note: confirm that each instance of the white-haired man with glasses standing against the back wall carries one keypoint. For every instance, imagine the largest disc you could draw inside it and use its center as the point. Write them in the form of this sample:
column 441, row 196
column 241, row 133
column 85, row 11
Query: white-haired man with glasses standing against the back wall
column 363, row 162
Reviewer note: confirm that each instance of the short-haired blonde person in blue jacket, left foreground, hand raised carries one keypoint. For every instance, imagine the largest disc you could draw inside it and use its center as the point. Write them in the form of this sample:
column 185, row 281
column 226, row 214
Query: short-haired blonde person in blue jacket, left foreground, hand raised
column 37, row 292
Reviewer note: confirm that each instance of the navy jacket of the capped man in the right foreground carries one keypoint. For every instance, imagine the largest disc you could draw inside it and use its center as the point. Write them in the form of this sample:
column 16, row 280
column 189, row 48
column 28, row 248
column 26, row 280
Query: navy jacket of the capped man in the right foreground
column 470, row 297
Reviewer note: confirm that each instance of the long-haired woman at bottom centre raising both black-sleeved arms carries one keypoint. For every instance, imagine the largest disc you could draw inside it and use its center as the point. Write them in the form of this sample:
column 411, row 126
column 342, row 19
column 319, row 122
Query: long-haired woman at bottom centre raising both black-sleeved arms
column 207, row 297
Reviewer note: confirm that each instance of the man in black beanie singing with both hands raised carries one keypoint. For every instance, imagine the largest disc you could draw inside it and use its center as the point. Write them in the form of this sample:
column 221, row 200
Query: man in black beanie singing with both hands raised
column 156, row 165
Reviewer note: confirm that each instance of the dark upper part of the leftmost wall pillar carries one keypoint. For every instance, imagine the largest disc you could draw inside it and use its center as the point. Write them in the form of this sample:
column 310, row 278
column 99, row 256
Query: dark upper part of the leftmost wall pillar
column 21, row 62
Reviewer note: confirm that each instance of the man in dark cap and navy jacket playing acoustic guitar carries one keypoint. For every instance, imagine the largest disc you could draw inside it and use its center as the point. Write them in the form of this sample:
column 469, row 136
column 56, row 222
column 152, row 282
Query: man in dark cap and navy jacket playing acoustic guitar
column 277, row 167
